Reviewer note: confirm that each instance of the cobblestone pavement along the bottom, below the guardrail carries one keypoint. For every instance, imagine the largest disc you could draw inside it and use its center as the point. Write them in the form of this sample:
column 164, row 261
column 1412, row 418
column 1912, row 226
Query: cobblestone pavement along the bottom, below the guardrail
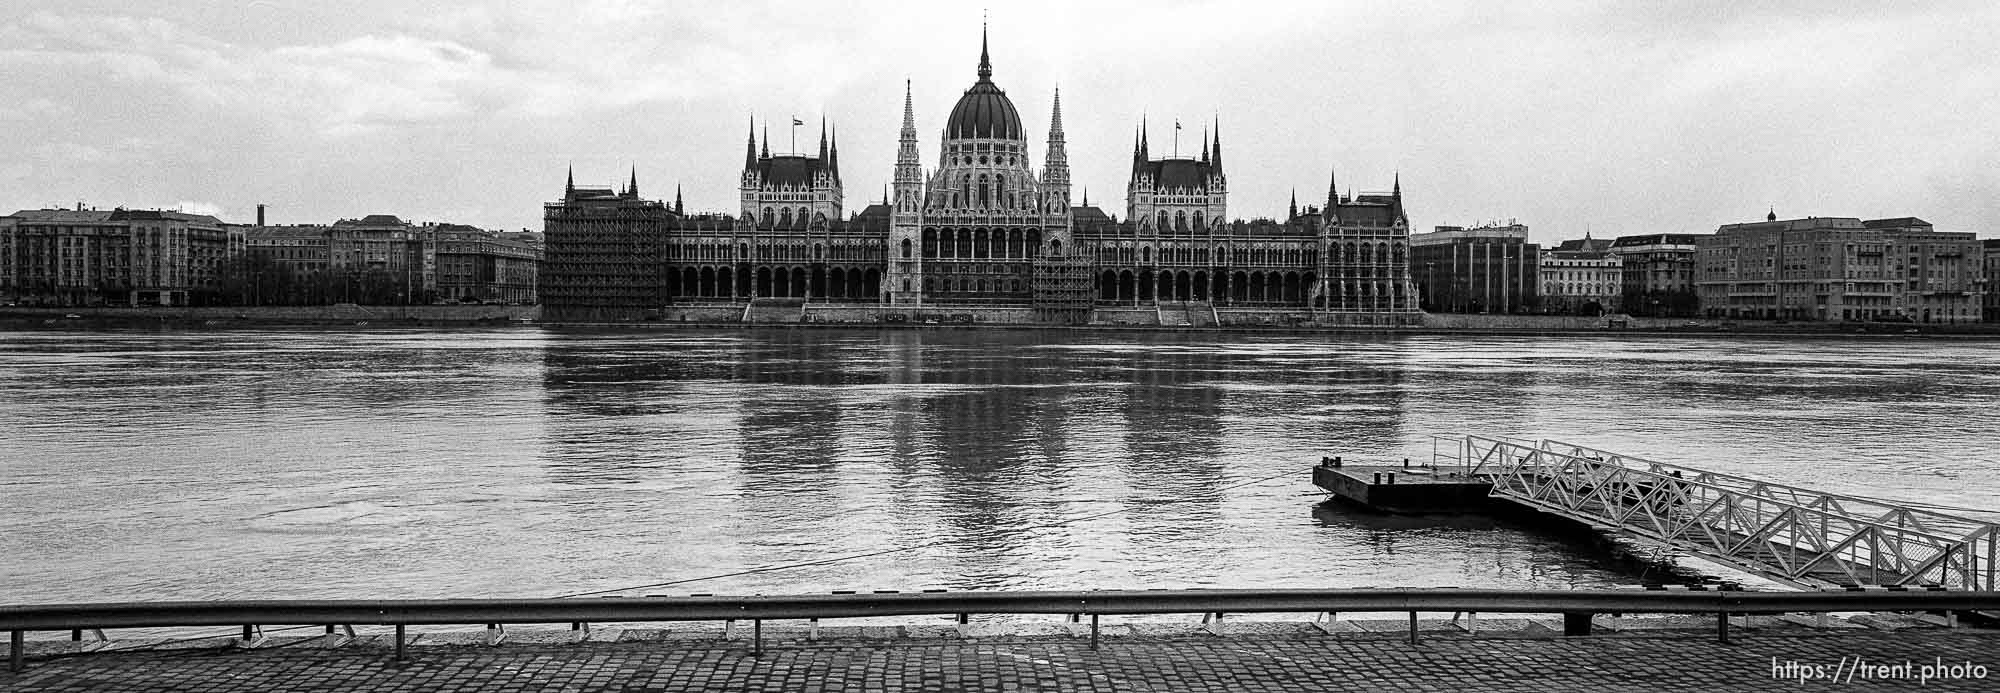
column 1627, row 662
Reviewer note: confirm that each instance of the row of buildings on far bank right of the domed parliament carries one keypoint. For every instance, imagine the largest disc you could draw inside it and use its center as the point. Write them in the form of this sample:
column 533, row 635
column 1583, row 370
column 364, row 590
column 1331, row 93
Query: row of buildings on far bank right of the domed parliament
column 1801, row 269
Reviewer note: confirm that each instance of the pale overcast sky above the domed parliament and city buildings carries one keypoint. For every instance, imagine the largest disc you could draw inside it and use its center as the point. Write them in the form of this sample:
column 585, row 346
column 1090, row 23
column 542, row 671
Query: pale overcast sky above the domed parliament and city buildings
column 1569, row 117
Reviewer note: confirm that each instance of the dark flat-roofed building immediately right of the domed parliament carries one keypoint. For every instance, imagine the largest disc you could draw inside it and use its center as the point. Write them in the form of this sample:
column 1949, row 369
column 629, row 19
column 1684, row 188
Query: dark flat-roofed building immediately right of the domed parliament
column 1483, row 269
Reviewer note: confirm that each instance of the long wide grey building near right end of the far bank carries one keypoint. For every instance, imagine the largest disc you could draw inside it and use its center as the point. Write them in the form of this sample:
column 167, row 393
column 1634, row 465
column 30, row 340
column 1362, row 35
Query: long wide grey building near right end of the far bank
column 1841, row 269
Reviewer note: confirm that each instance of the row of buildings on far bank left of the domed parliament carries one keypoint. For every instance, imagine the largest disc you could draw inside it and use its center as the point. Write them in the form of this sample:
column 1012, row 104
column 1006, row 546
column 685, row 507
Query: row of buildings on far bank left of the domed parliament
column 85, row 257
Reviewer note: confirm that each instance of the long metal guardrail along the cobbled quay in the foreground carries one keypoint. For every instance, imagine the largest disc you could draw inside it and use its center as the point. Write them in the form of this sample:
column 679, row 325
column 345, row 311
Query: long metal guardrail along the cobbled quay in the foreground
column 1575, row 606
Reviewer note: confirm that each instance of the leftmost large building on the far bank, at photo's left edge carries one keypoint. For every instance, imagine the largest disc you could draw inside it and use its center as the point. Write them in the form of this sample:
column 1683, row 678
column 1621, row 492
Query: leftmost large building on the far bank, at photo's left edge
column 113, row 257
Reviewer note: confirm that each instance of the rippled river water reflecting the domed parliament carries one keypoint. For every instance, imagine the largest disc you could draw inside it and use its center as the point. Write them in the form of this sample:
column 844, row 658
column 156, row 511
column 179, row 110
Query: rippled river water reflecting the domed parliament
column 537, row 464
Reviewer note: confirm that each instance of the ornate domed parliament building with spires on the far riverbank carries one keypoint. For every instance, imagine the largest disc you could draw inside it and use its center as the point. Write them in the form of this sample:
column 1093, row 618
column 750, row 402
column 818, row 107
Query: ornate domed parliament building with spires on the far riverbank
column 979, row 237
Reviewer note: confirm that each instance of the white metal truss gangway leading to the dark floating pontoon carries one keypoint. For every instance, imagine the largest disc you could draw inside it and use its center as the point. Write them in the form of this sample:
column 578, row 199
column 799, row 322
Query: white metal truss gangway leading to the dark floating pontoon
column 1793, row 536
